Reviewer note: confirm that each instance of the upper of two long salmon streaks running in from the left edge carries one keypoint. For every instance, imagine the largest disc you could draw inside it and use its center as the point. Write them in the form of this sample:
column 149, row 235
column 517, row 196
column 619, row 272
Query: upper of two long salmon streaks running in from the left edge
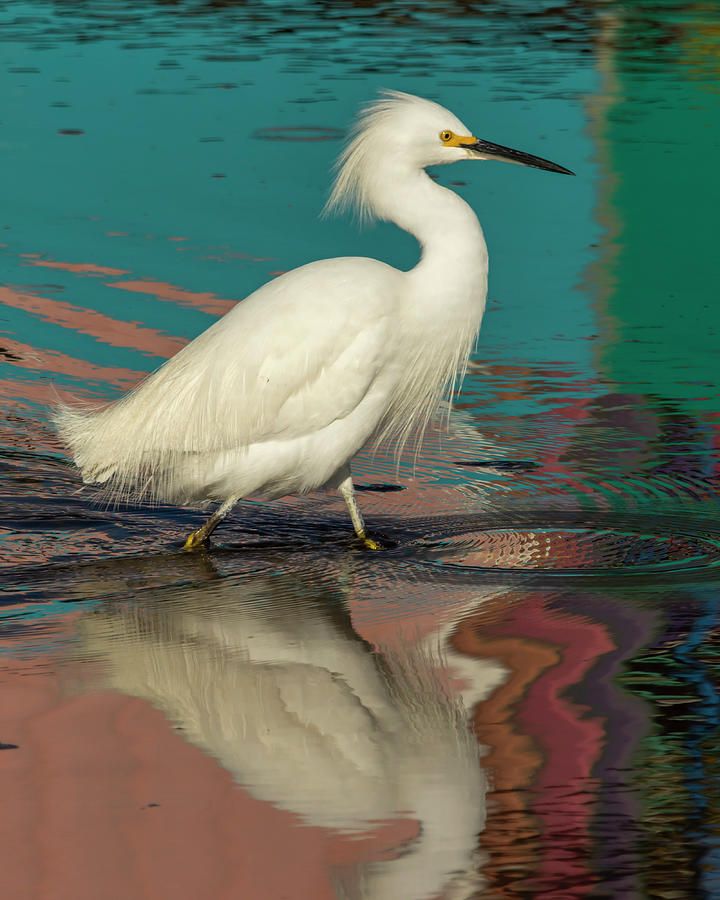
column 87, row 321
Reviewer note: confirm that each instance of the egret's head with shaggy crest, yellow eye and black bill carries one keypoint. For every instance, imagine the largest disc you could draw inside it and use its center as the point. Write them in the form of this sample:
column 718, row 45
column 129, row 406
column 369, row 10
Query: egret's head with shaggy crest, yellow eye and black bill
column 400, row 132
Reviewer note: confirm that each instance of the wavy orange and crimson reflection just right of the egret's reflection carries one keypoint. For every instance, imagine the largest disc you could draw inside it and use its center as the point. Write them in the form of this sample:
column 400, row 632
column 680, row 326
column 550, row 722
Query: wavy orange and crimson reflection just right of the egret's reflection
column 557, row 742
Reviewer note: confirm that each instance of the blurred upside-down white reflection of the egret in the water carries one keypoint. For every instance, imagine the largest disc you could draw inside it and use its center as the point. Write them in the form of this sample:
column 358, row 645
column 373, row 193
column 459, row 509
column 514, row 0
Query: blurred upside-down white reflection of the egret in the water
column 267, row 675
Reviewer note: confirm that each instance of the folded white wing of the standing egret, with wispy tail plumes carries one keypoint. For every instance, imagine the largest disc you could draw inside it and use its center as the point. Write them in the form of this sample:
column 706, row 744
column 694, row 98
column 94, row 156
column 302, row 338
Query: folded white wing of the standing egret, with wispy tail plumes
column 298, row 354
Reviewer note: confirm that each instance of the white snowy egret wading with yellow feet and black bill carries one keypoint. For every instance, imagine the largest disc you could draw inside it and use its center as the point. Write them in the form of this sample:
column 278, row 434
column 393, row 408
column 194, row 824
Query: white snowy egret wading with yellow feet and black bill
column 278, row 395
